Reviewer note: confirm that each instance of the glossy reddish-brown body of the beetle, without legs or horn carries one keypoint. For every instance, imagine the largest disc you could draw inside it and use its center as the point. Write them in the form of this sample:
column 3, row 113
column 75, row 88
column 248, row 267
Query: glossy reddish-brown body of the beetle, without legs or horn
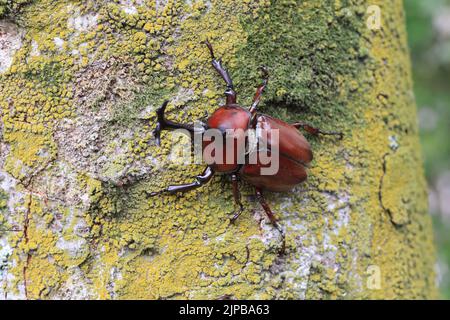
column 294, row 150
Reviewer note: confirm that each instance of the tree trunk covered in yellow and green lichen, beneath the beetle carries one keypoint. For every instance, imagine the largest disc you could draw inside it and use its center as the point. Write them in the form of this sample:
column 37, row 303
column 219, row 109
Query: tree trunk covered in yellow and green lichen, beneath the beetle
column 79, row 84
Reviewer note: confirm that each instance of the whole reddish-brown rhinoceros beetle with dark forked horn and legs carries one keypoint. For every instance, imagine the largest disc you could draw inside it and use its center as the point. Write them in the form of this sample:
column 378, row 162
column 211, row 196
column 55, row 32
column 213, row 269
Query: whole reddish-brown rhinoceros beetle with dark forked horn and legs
column 294, row 150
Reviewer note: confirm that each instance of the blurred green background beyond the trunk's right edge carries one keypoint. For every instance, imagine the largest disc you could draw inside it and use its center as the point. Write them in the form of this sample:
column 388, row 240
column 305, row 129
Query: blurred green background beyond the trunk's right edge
column 428, row 23
